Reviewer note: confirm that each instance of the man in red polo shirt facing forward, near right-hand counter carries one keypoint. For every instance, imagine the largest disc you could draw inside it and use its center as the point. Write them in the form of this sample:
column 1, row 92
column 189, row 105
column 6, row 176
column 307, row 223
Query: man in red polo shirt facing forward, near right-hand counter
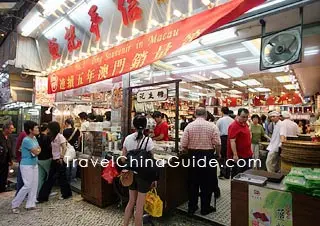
column 239, row 142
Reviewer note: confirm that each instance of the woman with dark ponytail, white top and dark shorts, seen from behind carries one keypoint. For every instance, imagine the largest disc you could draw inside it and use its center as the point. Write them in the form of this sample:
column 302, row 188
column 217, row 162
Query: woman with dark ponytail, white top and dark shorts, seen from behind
column 139, row 187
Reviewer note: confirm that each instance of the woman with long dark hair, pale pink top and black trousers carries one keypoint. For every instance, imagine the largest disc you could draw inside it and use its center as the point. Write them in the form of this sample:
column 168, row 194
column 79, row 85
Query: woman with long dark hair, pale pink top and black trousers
column 58, row 166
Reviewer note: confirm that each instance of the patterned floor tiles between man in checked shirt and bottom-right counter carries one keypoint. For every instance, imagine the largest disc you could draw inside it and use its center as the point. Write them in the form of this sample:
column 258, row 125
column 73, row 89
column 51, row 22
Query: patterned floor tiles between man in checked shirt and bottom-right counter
column 223, row 214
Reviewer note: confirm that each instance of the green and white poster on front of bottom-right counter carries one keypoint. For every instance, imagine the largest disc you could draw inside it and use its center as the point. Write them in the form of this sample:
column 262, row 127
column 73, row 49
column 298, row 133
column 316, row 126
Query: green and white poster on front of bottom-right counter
column 269, row 207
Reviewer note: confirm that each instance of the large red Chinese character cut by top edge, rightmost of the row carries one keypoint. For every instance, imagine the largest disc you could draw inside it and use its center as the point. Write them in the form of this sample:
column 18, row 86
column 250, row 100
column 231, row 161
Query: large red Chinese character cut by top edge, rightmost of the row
column 134, row 12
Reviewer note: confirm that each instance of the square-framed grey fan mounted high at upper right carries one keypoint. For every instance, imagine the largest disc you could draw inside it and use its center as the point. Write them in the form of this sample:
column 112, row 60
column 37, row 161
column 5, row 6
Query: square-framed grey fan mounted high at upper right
column 281, row 48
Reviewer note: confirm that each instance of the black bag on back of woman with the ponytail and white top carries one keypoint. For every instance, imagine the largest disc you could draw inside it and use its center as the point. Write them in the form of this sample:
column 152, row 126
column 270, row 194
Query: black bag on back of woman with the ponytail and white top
column 142, row 162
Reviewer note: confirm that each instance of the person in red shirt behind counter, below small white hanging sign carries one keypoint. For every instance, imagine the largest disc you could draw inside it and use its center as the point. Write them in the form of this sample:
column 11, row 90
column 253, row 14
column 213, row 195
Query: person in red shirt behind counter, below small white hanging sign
column 161, row 131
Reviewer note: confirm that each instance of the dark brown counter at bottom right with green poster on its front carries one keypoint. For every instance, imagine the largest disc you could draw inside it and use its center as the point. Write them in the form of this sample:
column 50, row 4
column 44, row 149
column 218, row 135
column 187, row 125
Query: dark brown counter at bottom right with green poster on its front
column 304, row 208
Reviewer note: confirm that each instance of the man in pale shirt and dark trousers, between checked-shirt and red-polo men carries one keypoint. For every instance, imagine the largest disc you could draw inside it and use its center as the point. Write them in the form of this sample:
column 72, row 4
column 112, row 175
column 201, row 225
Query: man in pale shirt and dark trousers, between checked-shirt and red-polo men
column 223, row 126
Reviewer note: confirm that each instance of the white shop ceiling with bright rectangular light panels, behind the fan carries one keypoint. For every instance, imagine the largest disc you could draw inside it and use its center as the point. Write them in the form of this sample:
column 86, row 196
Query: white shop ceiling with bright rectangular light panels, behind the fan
column 223, row 59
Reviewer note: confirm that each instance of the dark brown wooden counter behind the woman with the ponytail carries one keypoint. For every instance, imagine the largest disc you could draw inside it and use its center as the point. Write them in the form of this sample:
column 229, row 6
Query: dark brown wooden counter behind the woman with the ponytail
column 172, row 185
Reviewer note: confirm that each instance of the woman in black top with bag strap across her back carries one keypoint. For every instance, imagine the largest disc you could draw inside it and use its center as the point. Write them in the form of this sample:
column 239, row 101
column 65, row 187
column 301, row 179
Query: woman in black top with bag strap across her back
column 72, row 135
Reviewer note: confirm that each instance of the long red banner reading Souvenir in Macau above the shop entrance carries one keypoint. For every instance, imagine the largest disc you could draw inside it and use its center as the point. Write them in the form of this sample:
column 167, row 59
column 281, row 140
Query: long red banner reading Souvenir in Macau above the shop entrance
column 146, row 49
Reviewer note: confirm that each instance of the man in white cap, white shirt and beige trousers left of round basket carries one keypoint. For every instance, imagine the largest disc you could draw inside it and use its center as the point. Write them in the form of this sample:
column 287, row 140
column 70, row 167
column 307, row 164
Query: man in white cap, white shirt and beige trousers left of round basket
column 273, row 159
